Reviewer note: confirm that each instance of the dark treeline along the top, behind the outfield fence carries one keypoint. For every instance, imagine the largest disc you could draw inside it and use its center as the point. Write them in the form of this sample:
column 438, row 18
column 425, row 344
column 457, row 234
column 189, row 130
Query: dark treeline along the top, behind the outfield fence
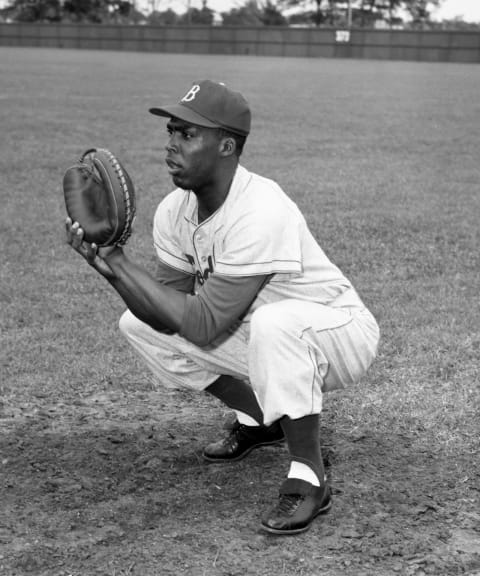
column 331, row 13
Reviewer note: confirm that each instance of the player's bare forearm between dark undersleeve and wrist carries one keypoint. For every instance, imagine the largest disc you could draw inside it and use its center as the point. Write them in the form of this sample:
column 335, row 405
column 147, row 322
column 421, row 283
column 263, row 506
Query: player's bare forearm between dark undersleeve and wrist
column 157, row 305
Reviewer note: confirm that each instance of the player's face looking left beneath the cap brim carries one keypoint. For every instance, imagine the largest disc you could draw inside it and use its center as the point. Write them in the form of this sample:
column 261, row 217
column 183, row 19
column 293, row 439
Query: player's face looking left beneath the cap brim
column 192, row 154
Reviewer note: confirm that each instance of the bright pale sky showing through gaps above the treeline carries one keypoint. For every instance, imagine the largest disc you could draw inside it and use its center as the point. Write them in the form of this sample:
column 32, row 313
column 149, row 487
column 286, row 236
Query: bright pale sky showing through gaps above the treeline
column 468, row 9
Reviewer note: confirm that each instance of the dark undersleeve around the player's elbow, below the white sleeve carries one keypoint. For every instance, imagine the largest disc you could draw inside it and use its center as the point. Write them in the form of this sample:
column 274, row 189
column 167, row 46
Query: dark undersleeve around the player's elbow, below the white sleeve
column 220, row 302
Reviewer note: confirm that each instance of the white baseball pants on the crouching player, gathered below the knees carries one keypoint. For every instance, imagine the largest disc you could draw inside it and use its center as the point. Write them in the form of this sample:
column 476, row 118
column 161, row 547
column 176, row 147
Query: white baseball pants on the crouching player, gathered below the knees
column 291, row 352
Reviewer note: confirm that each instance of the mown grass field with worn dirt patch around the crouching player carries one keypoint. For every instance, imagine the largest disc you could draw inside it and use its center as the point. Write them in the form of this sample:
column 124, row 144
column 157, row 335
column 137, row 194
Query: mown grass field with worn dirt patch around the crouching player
column 100, row 471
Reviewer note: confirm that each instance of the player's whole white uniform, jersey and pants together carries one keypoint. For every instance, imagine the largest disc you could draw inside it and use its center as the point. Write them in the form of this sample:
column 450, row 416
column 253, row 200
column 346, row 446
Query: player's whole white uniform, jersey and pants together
column 305, row 332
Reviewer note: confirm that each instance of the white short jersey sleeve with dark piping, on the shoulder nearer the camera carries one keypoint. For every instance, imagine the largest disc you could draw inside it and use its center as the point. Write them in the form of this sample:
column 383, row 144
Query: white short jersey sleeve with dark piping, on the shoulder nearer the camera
column 262, row 242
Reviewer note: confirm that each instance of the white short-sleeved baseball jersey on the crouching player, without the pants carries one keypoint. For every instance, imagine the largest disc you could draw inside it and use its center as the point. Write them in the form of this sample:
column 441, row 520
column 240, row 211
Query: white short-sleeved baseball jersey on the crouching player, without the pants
column 258, row 230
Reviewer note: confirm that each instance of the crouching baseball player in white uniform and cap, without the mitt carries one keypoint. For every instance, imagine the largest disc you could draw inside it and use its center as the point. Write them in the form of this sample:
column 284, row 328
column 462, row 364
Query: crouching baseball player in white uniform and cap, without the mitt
column 246, row 305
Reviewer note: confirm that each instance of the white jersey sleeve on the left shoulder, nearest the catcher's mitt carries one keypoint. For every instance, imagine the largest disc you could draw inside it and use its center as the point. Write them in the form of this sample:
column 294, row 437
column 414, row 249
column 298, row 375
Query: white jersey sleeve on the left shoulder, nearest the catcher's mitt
column 167, row 230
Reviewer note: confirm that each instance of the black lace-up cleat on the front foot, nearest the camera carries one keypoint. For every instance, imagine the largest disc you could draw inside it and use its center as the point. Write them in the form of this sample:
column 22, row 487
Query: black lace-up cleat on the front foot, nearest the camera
column 299, row 503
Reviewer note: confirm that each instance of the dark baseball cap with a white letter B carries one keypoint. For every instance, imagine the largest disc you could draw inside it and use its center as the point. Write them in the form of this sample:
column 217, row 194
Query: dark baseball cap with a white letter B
column 213, row 105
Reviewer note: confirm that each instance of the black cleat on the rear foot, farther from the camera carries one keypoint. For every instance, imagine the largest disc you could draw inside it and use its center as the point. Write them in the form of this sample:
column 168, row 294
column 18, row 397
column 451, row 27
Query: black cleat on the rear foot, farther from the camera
column 241, row 441
